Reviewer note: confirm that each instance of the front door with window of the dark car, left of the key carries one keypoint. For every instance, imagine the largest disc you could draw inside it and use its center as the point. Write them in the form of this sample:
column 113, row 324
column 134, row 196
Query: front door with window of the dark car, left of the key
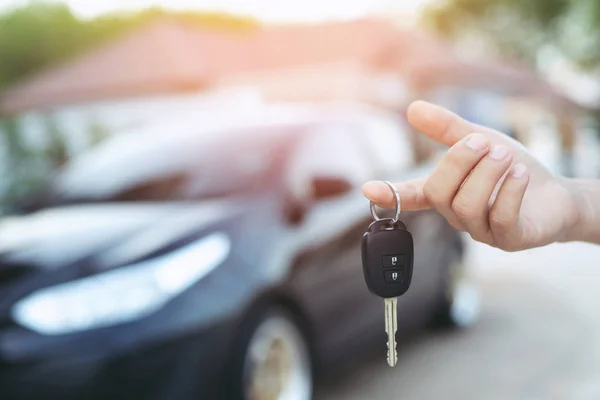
column 328, row 277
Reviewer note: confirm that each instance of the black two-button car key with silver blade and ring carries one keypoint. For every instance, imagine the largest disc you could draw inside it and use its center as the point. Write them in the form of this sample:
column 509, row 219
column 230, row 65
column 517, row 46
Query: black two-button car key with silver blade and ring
column 387, row 257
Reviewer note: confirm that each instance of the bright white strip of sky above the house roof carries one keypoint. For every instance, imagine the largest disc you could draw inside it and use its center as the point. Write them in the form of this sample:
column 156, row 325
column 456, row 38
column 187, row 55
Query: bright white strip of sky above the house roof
column 265, row 10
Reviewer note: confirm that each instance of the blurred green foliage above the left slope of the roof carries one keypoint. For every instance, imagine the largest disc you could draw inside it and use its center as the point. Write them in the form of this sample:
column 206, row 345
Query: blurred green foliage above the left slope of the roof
column 40, row 34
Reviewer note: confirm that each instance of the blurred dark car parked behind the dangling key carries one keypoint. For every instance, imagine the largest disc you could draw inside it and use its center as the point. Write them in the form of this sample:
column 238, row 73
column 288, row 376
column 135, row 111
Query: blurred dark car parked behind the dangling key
column 213, row 256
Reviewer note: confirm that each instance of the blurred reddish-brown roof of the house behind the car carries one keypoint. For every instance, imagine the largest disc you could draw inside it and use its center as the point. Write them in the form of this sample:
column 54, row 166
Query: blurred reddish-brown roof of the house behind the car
column 168, row 56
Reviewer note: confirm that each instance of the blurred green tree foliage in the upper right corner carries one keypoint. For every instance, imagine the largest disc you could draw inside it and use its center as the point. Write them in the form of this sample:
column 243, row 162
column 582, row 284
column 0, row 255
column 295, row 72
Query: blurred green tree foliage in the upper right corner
column 521, row 27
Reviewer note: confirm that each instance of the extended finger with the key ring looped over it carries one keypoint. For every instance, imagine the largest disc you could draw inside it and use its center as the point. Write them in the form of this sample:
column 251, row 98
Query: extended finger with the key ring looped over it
column 411, row 194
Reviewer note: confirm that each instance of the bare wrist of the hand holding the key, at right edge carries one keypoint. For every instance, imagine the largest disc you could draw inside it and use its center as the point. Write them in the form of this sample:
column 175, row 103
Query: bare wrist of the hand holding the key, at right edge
column 585, row 225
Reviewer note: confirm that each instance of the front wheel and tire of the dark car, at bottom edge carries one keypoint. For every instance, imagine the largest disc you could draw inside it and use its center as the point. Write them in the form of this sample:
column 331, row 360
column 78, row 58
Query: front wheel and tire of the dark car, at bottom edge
column 272, row 360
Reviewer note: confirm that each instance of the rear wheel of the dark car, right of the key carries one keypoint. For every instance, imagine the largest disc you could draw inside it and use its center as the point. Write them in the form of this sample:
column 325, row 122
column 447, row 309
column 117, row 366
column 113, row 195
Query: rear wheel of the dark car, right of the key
column 461, row 304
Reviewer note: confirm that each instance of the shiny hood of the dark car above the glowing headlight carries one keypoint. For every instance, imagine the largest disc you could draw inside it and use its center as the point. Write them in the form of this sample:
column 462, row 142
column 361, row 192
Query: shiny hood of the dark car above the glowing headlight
column 112, row 233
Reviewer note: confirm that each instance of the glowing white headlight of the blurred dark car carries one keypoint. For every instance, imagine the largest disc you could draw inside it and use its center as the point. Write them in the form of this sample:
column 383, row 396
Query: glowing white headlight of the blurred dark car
column 123, row 294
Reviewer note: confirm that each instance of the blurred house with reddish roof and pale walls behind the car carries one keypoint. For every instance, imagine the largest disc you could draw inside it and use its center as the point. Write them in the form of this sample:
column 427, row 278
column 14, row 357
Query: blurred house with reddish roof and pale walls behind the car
column 168, row 67
